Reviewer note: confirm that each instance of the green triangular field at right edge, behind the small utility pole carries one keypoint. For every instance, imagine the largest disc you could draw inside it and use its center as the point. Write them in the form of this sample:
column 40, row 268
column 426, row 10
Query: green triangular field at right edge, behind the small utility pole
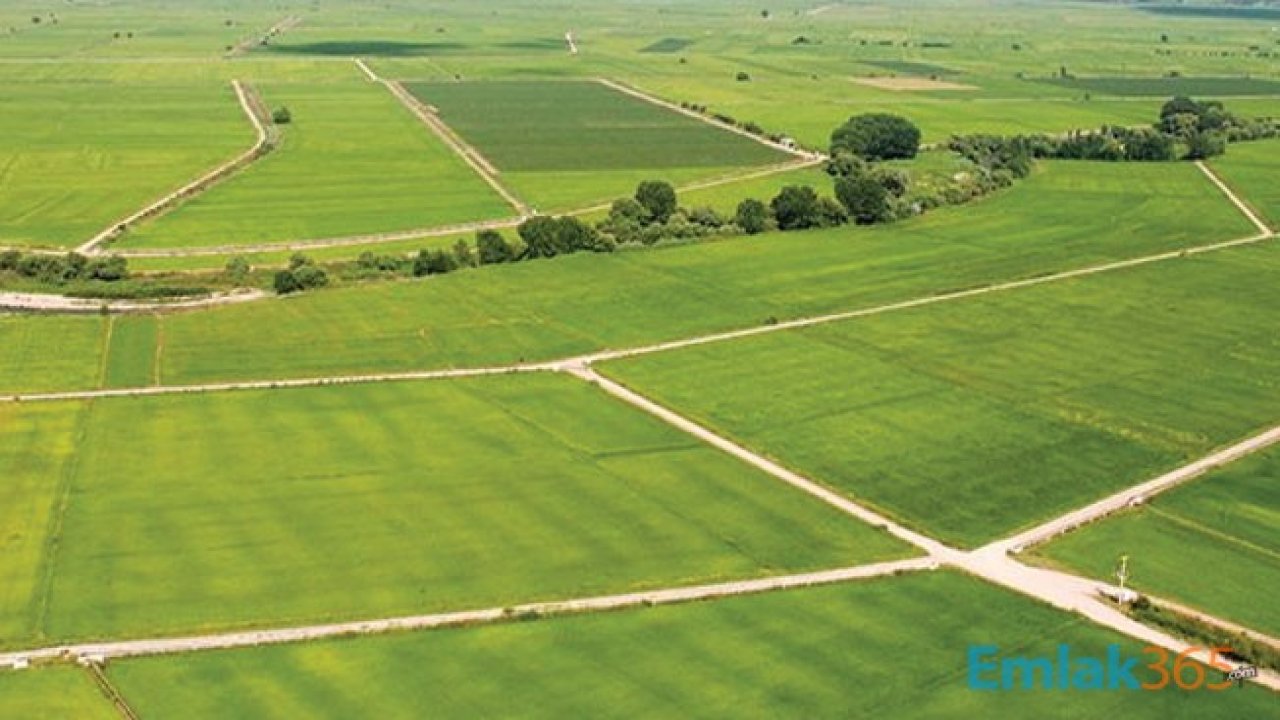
column 1214, row 544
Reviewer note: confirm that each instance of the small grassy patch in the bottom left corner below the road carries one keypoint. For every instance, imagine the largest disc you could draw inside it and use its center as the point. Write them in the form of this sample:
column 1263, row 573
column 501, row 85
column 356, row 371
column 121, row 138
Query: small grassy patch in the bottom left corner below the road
column 53, row 694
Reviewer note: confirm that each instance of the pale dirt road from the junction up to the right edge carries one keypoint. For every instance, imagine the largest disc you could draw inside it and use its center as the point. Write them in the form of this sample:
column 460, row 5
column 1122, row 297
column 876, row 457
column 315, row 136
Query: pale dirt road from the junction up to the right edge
column 1136, row 495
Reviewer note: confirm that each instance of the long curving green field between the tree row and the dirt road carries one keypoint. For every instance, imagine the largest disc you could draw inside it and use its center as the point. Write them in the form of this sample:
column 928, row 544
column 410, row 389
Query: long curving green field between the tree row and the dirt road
column 1067, row 217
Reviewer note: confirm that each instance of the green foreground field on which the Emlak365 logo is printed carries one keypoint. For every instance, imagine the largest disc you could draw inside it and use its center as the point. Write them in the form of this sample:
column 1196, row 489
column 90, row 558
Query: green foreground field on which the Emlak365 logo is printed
column 877, row 649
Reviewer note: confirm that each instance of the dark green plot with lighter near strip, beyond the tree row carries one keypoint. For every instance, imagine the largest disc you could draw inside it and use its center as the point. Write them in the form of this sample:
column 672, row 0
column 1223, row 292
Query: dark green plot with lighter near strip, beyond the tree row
column 570, row 143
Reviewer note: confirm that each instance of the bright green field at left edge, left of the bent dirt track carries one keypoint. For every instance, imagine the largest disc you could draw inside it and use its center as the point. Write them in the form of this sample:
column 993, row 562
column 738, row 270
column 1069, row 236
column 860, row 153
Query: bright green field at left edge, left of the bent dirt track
column 77, row 157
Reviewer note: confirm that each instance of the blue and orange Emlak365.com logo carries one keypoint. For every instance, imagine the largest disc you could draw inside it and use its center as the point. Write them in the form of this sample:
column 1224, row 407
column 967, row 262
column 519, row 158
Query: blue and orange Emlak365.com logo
column 1067, row 671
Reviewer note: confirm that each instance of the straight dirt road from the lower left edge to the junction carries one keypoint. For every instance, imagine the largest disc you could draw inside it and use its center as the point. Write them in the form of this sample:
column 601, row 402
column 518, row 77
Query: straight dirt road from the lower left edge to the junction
column 303, row 634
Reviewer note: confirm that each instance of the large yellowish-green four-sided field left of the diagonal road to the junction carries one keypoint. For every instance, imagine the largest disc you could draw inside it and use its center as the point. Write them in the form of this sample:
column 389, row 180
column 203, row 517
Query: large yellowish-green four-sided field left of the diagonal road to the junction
column 195, row 513
